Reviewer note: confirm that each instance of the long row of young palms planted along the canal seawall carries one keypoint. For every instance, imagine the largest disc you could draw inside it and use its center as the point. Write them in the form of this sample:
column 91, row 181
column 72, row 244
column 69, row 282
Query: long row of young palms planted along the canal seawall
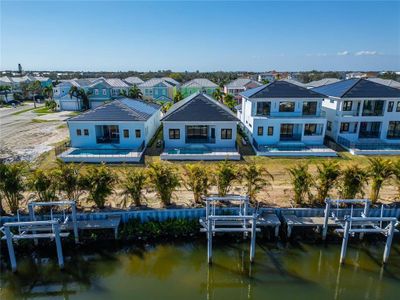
column 98, row 182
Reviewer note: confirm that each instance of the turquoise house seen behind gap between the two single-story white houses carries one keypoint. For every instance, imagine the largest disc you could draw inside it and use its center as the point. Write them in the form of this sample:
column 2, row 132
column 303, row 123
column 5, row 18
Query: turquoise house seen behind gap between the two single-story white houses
column 159, row 89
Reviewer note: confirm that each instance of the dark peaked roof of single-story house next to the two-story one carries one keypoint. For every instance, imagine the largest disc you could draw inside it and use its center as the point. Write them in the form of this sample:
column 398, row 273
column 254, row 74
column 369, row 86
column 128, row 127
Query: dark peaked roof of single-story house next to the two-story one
column 199, row 108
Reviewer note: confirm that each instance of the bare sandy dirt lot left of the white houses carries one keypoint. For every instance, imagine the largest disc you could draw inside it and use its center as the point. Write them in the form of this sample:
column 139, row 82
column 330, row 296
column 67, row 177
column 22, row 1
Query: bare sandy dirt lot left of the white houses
column 25, row 134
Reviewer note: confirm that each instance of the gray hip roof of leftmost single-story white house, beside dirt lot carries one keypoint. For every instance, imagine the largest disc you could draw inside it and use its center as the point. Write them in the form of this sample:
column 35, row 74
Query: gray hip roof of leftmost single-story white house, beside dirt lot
column 124, row 109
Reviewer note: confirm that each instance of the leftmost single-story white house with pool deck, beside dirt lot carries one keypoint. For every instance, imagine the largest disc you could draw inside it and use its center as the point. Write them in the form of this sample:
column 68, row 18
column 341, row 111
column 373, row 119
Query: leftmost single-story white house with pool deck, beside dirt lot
column 117, row 131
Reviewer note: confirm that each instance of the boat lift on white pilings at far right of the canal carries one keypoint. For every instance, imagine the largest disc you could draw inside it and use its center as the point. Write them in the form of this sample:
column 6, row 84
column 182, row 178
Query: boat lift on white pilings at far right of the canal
column 350, row 225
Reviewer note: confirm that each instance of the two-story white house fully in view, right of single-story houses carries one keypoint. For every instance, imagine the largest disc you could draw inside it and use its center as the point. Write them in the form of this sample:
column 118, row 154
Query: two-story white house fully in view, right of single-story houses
column 284, row 119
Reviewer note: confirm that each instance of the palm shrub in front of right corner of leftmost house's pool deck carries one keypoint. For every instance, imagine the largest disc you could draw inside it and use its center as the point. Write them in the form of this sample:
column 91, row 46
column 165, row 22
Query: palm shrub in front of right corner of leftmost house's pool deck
column 133, row 185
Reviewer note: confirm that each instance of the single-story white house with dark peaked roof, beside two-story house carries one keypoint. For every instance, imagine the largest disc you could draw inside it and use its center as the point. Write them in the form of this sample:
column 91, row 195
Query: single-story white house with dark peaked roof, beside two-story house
column 199, row 128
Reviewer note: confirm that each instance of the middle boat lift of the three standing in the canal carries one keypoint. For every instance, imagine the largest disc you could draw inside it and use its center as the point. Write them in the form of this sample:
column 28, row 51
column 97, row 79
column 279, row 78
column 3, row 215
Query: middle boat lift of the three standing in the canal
column 240, row 221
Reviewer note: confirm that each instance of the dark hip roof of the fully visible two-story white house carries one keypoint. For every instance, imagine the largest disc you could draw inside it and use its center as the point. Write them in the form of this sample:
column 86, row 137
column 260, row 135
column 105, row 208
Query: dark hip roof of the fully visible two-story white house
column 281, row 89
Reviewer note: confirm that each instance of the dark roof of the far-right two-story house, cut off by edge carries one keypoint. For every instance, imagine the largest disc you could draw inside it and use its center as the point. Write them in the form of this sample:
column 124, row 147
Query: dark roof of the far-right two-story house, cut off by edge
column 358, row 88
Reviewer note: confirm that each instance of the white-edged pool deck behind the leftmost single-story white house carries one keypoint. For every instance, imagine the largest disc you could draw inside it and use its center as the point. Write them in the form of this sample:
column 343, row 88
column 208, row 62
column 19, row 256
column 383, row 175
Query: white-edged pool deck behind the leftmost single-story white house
column 131, row 157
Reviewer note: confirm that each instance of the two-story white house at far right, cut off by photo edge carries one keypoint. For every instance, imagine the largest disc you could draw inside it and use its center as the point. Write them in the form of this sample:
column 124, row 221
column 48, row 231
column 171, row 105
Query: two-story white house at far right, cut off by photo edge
column 363, row 116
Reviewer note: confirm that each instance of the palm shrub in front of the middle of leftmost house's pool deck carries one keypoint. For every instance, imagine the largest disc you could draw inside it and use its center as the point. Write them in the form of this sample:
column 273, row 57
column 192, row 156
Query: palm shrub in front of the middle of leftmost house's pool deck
column 99, row 182
